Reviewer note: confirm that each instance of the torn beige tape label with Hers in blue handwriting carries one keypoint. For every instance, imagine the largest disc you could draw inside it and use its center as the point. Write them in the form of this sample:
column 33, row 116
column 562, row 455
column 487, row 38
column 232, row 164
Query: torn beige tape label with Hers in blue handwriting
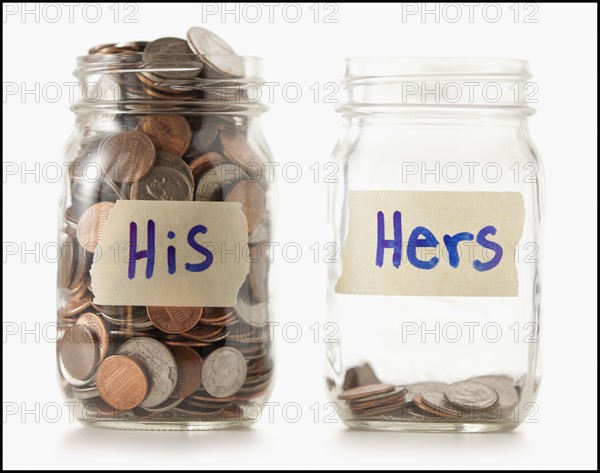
column 431, row 243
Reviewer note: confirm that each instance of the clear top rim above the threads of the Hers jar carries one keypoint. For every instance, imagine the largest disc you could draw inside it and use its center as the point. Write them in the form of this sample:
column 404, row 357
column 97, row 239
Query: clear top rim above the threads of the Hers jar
column 358, row 68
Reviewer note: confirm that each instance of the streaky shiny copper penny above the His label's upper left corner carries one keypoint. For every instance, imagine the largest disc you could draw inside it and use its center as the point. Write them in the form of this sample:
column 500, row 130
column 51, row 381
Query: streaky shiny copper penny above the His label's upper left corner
column 127, row 156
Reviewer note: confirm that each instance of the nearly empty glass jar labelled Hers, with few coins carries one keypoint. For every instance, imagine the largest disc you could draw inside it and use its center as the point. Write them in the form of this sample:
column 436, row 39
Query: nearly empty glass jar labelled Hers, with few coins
column 437, row 215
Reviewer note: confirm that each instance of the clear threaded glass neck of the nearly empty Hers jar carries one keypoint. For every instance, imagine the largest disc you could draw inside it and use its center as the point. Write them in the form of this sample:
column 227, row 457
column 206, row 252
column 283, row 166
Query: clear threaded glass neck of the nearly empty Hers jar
column 437, row 85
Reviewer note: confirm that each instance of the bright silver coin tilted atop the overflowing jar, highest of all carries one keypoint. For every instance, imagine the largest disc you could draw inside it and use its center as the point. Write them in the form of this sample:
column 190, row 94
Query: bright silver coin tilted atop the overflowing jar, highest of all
column 220, row 58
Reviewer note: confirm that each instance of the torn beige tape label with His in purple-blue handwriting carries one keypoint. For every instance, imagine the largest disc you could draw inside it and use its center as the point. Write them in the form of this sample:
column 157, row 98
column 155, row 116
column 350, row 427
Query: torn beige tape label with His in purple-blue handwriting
column 159, row 253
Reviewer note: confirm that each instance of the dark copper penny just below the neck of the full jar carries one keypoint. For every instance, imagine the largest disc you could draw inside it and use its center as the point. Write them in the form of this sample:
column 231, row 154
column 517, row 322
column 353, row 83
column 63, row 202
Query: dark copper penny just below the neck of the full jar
column 172, row 133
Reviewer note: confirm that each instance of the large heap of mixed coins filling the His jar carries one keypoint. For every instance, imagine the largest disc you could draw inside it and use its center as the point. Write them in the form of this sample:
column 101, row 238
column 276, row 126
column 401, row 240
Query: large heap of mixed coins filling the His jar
column 165, row 363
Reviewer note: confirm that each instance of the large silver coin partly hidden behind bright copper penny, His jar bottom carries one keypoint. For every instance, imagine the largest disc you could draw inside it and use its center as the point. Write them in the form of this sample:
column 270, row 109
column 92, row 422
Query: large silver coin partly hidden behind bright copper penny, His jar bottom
column 160, row 366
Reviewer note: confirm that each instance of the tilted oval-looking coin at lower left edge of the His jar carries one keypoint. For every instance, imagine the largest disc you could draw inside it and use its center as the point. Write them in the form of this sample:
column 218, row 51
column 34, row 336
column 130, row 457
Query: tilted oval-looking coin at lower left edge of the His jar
column 78, row 350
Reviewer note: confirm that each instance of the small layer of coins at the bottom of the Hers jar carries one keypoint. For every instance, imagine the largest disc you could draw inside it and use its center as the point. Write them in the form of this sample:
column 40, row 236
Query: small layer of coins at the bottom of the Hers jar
column 481, row 399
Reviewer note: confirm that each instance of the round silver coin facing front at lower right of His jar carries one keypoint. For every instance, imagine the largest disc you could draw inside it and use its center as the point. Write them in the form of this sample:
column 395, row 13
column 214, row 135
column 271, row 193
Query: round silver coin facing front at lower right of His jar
column 224, row 372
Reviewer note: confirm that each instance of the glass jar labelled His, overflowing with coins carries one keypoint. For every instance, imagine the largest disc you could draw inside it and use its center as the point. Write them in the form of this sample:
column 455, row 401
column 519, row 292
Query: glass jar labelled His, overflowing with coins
column 163, row 282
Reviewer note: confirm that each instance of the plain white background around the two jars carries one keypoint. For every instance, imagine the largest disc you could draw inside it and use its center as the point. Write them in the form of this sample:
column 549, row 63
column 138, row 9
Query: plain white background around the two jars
column 561, row 47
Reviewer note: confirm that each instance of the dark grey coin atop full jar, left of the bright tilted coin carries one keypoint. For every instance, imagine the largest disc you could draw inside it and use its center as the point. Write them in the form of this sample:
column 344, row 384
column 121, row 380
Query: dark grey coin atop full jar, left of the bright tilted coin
column 170, row 54
